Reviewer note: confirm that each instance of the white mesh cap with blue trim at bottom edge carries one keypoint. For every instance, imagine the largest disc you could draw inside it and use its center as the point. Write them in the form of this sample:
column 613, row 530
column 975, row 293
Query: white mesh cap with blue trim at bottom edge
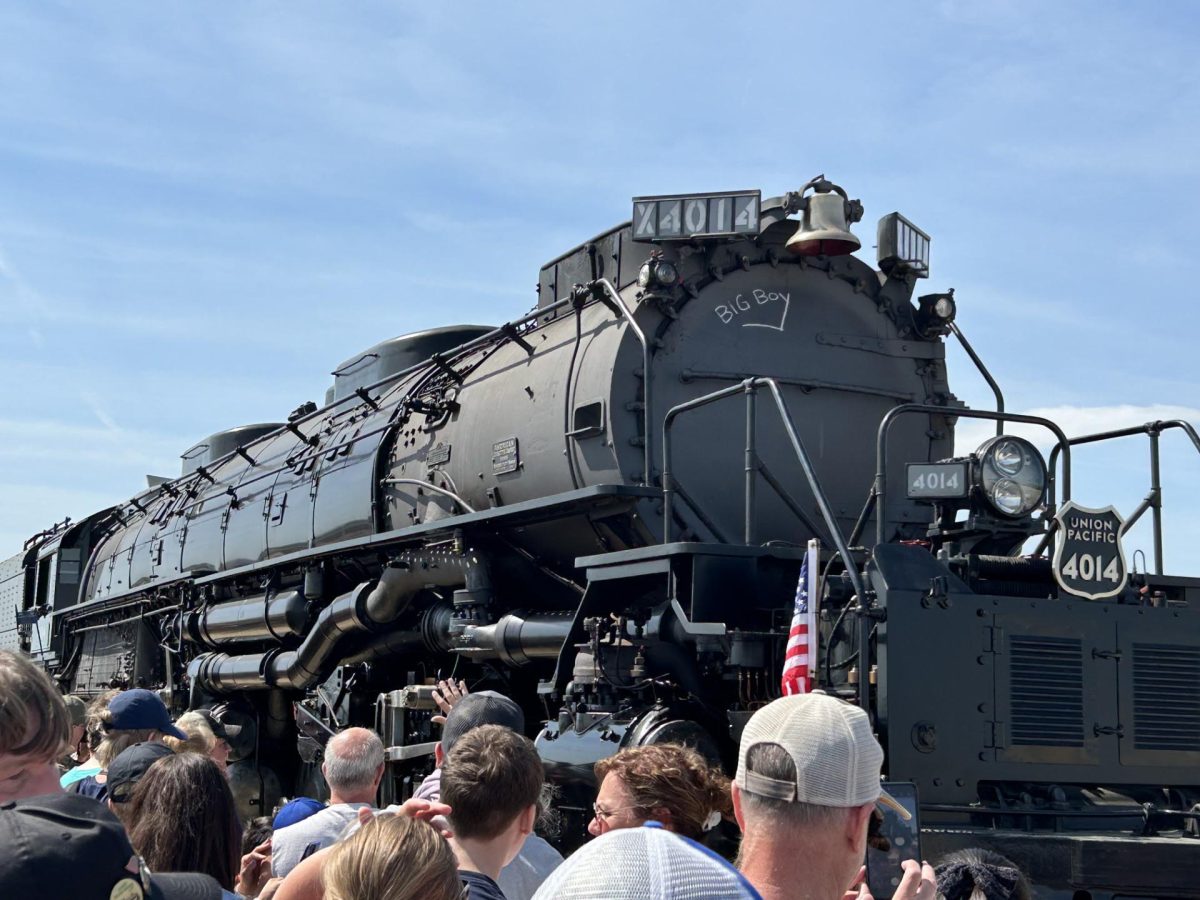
column 647, row 863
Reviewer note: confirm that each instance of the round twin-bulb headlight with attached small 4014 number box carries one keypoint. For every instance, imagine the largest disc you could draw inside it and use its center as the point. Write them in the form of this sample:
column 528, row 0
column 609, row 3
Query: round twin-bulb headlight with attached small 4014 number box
column 1006, row 473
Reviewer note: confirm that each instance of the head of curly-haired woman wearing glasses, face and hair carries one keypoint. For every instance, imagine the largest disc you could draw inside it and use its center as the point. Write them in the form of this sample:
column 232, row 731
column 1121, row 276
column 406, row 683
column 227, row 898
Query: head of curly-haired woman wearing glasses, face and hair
column 661, row 783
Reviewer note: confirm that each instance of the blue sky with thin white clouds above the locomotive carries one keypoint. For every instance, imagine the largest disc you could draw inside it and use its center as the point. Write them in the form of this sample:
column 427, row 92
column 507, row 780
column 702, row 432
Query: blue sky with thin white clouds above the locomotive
column 206, row 208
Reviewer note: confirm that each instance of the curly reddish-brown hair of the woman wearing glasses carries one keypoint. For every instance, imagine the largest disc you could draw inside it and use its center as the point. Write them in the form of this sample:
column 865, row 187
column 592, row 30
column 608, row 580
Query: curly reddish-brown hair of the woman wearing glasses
column 673, row 778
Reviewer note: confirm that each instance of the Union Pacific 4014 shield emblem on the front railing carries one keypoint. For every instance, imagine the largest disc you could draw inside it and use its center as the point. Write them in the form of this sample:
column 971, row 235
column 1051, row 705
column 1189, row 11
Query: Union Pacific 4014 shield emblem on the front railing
column 1089, row 560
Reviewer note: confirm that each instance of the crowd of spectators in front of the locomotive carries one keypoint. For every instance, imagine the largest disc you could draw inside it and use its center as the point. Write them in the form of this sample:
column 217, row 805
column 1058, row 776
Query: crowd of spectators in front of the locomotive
column 113, row 800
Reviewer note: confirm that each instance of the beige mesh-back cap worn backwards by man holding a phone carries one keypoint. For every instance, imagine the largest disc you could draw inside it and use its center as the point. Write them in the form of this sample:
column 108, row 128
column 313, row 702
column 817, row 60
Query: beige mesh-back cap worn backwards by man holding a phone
column 837, row 758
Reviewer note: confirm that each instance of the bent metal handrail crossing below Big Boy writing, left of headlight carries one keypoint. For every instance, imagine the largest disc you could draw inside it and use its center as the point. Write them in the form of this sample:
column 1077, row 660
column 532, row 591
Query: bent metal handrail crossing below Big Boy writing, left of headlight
column 749, row 388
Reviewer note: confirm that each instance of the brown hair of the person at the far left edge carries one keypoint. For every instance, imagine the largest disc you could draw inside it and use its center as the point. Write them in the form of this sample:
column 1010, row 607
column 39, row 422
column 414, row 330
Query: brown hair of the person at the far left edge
column 34, row 718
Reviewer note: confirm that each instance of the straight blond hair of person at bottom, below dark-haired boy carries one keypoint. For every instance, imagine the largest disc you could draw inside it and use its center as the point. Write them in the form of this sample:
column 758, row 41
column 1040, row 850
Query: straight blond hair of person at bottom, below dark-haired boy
column 393, row 859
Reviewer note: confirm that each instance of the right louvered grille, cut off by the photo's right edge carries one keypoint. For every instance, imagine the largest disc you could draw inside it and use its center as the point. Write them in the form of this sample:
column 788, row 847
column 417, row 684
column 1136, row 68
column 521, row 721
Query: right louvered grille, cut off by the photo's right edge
column 1167, row 697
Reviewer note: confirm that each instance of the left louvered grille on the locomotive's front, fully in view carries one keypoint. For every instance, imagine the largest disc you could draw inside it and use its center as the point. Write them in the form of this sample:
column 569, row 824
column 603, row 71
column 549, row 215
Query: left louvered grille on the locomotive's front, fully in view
column 1047, row 692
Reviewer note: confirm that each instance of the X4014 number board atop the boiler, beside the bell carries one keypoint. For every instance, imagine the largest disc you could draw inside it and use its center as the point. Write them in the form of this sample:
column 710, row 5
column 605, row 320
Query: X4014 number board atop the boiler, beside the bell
column 697, row 215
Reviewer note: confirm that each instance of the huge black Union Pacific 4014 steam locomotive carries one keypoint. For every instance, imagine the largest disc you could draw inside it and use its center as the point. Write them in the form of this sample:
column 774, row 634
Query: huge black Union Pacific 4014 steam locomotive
column 601, row 509
